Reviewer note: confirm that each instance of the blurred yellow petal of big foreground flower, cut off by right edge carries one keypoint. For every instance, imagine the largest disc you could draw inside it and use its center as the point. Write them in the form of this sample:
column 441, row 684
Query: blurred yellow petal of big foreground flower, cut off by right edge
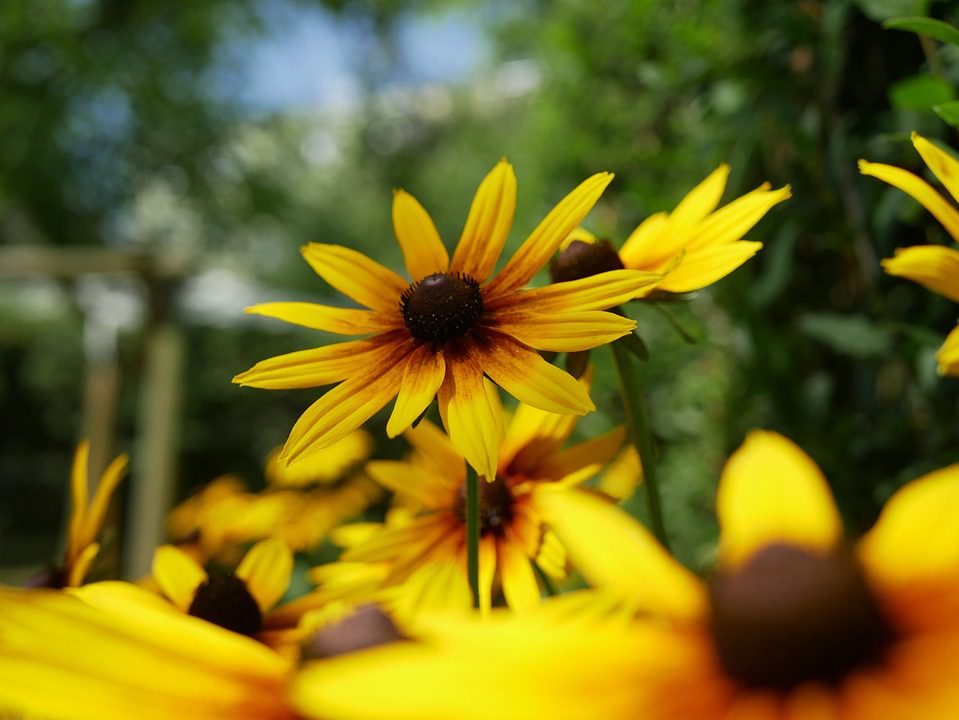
column 917, row 534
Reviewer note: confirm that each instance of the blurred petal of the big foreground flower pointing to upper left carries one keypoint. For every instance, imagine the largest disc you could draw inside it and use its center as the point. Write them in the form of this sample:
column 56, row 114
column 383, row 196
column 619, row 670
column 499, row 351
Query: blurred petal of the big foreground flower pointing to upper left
column 614, row 552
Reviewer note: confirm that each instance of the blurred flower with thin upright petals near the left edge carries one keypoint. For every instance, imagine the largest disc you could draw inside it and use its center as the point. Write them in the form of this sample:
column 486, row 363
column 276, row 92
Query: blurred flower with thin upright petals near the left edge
column 86, row 519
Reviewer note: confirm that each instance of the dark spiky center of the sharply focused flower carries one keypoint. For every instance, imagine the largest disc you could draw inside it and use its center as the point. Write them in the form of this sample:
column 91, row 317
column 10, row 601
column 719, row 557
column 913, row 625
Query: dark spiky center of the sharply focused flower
column 441, row 307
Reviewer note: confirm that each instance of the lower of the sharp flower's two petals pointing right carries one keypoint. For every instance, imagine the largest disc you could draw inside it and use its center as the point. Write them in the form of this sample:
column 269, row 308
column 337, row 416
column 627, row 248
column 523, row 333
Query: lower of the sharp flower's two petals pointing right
column 564, row 332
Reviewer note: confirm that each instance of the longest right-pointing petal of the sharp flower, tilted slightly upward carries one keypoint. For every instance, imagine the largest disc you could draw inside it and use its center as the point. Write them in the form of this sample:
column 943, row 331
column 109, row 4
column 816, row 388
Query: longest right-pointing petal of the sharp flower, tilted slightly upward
column 596, row 292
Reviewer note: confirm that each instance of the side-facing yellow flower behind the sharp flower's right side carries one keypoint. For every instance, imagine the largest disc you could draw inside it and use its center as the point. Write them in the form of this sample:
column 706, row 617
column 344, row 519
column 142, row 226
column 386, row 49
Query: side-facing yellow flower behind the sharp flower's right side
column 693, row 246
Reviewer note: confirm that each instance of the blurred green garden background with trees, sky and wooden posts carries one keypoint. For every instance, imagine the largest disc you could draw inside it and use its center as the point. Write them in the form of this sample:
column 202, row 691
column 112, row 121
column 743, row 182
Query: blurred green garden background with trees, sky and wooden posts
column 161, row 164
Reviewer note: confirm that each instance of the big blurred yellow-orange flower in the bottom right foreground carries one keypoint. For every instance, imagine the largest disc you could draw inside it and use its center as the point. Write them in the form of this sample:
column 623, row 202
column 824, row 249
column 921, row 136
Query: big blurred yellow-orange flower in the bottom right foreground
column 794, row 623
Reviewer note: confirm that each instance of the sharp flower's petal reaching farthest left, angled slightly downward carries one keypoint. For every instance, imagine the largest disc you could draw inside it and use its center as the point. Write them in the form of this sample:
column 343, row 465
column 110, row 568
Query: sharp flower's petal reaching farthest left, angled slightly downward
column 323, row 366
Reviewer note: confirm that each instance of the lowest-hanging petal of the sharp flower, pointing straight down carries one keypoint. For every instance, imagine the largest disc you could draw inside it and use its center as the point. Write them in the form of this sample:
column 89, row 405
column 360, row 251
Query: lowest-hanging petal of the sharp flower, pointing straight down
column 470, row 419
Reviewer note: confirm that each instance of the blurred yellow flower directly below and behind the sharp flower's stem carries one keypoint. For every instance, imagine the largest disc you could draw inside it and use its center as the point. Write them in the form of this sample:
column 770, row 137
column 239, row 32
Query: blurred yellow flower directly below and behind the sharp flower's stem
column 426, row 555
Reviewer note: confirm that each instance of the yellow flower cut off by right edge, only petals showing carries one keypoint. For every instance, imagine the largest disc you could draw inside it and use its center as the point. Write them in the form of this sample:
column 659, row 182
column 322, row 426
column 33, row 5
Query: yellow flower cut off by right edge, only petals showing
column 934, row 267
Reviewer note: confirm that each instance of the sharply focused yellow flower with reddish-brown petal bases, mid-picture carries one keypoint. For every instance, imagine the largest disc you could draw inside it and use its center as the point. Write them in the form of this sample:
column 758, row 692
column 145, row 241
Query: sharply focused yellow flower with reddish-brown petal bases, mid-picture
column 439, row 334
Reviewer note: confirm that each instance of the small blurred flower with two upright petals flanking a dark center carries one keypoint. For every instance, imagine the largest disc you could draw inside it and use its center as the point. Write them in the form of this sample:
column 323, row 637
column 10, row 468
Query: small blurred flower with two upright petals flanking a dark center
column 236, row 601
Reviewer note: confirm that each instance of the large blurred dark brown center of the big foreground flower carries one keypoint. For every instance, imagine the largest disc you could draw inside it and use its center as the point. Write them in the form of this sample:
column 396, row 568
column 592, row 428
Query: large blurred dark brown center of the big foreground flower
column 789, row 616
